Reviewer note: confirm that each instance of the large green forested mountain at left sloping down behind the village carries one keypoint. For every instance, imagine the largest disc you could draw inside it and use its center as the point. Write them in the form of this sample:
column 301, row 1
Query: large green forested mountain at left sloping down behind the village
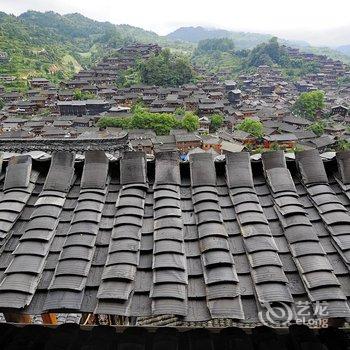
column 53, row 45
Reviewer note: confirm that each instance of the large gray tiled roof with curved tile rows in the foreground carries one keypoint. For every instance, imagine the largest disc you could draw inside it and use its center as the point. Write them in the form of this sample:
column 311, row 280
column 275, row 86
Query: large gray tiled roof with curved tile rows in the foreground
column 197, row 240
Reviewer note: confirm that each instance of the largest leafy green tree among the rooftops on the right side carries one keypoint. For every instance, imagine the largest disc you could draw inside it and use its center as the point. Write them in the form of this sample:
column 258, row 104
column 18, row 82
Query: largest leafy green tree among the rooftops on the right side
column 309, row 103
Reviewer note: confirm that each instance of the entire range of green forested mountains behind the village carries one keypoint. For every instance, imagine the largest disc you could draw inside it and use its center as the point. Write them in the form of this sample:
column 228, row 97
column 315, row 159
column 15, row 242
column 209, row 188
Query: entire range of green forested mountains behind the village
column 55, row 46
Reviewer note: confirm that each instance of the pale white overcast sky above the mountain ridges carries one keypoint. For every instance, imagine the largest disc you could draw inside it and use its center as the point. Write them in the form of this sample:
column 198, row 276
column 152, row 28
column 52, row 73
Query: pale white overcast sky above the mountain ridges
column 318, row 22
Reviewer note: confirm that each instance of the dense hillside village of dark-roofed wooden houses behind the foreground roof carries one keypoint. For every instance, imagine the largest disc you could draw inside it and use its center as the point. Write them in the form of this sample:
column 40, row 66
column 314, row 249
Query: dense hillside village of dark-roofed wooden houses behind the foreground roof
column 47, row 111
